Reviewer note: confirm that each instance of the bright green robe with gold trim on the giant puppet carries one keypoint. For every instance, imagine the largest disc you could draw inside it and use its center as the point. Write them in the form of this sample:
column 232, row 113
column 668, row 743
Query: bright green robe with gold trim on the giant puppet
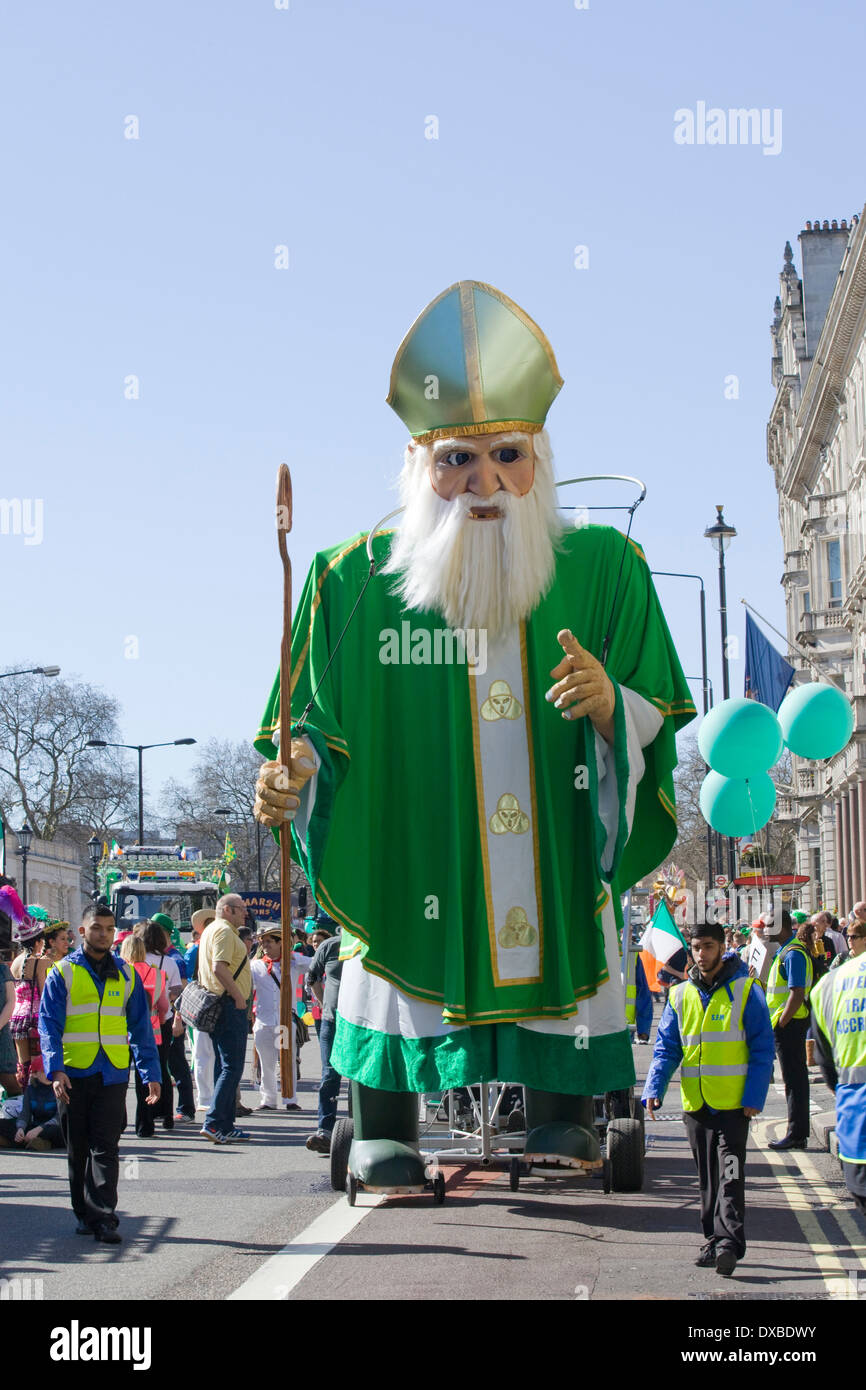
column 394, row 849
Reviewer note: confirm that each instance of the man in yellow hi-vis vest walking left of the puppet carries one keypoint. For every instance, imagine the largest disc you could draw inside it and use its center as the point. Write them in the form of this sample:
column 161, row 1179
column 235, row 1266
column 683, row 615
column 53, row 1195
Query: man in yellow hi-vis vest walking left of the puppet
column 94, row 1010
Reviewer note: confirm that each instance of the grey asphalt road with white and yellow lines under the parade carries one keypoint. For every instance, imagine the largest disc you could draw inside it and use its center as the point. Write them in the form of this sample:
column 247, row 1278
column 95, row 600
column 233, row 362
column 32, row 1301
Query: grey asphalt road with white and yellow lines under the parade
column 259, row 1223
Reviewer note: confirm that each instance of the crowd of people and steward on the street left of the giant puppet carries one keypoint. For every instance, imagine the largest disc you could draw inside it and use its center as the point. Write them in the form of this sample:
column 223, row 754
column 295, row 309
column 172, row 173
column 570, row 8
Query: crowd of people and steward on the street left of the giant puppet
column 80, row 1015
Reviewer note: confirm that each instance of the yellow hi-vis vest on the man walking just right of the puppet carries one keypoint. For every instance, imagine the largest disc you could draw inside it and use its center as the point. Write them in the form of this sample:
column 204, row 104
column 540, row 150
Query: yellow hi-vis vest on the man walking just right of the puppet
column 715, row 1052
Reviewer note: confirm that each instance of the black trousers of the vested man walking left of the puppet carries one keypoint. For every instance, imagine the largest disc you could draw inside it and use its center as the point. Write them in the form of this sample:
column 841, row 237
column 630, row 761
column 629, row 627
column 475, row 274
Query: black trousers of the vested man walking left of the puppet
column 91, row 1124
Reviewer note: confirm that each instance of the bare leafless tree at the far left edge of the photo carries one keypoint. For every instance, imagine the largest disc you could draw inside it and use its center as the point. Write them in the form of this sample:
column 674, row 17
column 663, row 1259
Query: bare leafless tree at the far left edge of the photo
column 48, row 776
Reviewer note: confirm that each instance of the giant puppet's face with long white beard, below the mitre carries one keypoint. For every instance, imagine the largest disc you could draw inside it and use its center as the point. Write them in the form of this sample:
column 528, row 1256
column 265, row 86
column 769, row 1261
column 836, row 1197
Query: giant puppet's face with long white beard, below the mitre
column 476, row 541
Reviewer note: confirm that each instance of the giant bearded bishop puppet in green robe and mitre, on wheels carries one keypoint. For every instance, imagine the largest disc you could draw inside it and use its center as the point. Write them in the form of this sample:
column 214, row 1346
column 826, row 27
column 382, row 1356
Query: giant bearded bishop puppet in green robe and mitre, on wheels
column 473, row 789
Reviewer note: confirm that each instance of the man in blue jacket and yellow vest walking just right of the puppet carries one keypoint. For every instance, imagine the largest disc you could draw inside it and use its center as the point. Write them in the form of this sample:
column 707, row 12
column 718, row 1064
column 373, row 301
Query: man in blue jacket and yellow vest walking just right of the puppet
column 717, row 1027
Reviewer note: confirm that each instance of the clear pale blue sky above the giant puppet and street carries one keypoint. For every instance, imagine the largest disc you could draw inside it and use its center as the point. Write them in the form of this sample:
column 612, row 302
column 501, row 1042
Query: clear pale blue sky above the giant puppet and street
column 262, row 127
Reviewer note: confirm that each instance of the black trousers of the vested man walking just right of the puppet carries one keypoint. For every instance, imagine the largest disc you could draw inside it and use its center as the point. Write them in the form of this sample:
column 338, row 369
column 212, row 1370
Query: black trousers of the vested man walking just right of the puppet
column 718, row 1140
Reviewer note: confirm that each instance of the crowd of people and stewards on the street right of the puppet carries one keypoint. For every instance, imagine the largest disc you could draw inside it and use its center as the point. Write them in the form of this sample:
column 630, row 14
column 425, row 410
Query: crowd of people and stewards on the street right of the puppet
column 790, row 988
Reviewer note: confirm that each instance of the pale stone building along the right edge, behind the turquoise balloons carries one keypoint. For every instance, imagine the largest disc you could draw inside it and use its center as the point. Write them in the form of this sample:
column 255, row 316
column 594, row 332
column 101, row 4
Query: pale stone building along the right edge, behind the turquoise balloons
column 817, row 447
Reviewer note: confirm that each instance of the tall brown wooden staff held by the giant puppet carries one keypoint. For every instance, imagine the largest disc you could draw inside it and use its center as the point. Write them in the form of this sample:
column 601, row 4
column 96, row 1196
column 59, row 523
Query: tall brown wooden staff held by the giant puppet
column 287, row 1001
